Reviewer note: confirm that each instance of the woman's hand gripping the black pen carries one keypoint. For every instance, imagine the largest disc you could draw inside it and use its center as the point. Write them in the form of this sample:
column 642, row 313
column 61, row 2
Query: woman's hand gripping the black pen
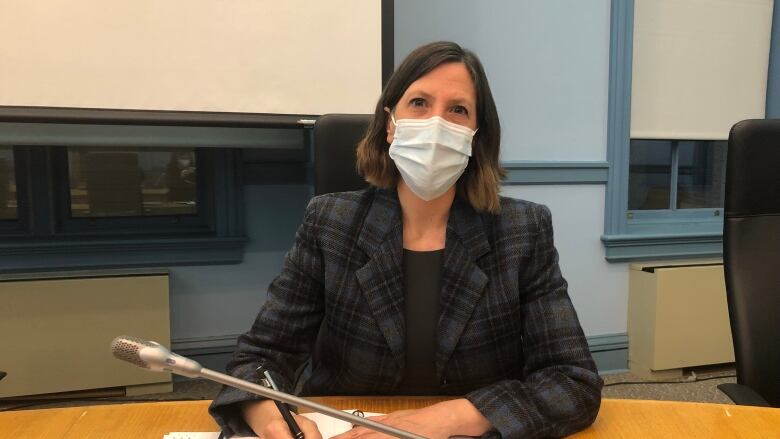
column 267, row 423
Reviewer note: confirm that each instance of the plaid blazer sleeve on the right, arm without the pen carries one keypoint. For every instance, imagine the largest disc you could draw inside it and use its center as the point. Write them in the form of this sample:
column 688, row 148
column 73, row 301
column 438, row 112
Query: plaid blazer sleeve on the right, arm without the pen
column 560, row 392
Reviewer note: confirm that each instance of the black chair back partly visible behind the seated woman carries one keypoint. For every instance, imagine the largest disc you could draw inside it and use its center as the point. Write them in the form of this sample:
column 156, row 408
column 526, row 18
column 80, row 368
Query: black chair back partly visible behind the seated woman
column 335, row 138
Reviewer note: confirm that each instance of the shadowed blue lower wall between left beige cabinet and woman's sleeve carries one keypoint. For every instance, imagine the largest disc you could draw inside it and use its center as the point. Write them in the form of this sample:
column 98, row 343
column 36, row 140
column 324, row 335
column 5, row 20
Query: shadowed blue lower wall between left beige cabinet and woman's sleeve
column 221, row 301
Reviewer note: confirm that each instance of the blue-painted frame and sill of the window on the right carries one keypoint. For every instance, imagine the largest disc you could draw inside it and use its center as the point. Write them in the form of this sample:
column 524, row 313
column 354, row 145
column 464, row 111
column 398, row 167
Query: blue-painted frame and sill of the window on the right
column 628, row 235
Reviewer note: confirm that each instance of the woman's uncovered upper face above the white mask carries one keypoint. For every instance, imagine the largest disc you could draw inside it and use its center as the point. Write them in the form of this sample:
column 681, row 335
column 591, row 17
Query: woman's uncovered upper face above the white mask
column 446, row 91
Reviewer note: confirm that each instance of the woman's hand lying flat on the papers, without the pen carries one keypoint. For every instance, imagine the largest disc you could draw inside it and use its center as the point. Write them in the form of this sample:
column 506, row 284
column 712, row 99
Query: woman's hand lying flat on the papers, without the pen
column 439, row 421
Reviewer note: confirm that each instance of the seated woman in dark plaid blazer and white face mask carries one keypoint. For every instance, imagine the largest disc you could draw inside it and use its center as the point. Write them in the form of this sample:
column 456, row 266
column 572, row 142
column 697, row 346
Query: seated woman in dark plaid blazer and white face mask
column 428, row 282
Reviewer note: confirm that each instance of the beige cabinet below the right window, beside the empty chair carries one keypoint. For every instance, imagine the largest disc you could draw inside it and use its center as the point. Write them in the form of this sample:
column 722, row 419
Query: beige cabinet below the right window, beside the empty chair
column 677, row 317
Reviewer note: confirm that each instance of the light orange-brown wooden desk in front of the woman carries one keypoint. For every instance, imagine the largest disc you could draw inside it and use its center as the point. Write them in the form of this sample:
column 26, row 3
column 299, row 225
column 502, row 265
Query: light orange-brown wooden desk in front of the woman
column 617, row 419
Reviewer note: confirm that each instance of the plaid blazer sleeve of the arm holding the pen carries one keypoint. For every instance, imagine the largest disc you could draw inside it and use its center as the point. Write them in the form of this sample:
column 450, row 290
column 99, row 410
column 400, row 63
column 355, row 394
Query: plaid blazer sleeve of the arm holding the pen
column 284, row 331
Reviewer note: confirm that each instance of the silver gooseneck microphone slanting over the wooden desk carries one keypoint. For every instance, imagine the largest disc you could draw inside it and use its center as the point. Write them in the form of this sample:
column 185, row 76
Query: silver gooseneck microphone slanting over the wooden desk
column 153, row 356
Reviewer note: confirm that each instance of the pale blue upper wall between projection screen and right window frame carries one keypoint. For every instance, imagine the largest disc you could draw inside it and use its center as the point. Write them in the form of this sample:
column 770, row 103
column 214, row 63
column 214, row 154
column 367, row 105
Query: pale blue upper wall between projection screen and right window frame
column 546, row 61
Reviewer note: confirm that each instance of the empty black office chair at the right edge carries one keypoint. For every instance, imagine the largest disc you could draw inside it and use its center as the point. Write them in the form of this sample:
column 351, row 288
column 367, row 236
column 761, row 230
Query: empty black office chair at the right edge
column 751, row 251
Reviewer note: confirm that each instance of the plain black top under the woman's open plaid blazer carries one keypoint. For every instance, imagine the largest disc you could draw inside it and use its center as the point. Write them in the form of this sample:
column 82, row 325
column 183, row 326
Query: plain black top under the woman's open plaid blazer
column 422, row 289
